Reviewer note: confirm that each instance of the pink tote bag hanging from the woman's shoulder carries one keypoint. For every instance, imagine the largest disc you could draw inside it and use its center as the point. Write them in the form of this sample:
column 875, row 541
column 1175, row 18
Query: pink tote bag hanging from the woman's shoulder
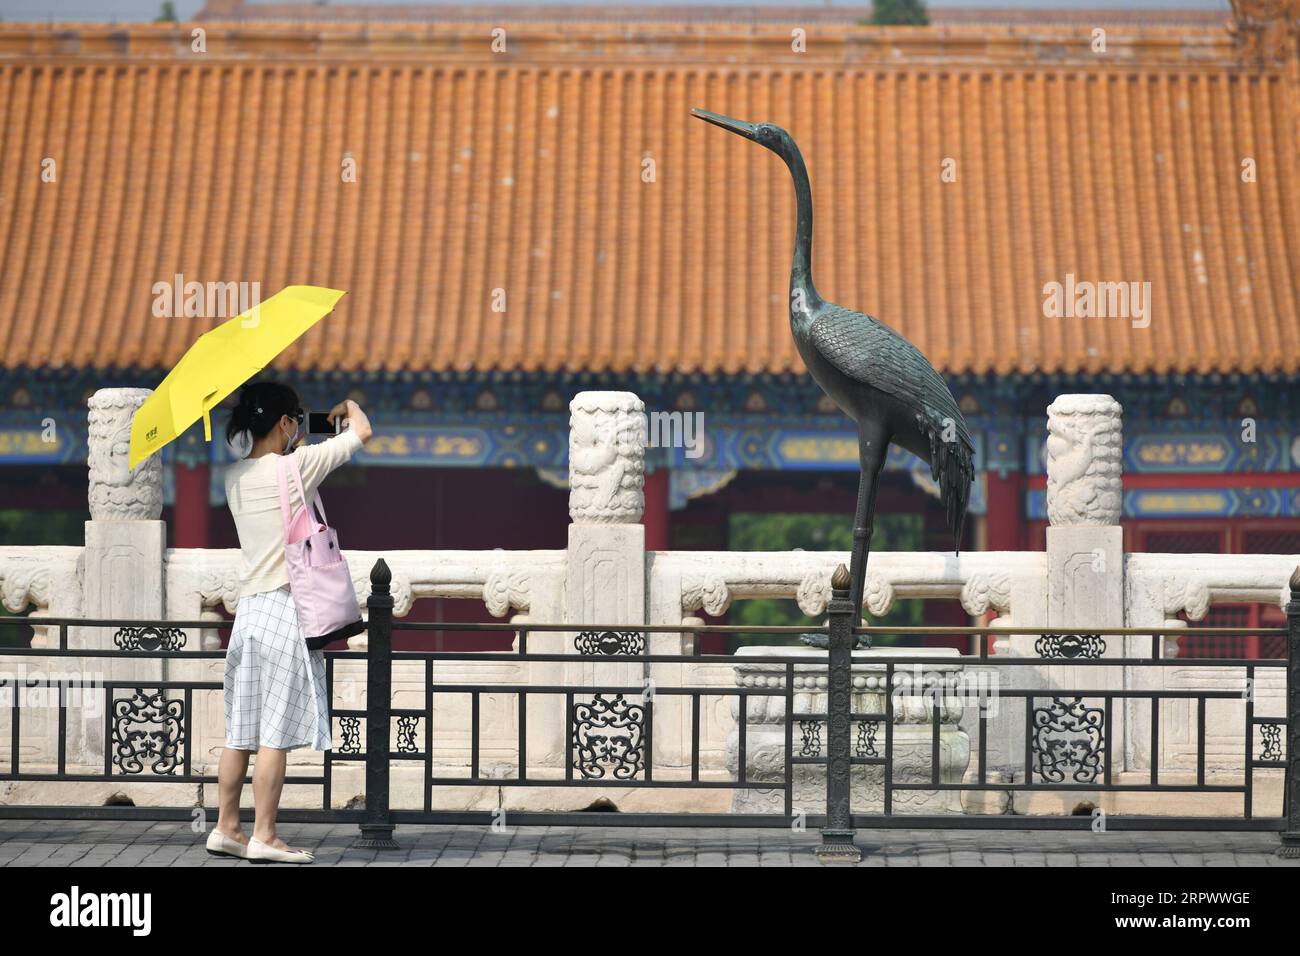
column 318, row 573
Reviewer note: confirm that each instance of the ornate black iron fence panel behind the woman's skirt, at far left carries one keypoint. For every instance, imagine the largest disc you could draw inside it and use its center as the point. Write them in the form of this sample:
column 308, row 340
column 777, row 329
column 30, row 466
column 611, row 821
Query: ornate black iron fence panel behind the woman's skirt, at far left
column 67, row 723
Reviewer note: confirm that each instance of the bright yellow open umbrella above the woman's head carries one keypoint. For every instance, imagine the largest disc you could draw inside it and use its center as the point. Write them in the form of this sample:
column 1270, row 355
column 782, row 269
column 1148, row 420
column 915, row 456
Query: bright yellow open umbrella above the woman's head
column 224, row 360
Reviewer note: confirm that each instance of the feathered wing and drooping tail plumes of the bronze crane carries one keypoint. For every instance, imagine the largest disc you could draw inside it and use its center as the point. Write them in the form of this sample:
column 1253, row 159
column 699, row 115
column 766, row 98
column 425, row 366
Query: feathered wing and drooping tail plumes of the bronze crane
column 869, row 352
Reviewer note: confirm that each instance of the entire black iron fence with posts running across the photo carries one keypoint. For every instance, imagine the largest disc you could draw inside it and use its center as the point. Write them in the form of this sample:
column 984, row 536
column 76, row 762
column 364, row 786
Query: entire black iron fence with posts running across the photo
column 800, row 729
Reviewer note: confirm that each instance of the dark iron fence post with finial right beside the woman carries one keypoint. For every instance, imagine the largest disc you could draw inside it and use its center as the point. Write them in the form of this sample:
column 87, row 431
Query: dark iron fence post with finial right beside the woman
column 378, row 824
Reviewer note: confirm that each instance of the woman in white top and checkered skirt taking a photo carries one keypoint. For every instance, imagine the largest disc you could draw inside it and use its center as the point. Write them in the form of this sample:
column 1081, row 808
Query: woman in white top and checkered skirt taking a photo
column 276, row 697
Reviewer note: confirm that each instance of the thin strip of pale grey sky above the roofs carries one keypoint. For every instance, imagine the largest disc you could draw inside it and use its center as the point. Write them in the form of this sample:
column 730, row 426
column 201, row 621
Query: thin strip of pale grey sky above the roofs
column 148, row 10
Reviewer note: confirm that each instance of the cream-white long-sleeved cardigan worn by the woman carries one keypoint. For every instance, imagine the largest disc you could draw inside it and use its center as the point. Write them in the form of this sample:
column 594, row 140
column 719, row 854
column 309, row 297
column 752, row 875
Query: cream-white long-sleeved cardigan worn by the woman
column 253, row 494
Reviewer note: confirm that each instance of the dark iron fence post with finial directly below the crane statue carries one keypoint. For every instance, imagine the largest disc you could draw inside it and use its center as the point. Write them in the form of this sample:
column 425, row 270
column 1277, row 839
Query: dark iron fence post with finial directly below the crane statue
column 838, row 834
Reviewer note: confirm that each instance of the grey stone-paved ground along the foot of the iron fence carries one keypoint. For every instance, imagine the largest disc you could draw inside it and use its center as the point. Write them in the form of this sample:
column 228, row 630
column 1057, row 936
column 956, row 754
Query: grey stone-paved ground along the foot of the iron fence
column 98, row 843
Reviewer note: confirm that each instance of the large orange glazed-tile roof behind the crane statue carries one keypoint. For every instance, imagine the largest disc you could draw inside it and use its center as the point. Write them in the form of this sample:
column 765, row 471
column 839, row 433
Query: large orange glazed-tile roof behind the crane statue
column 523, row 172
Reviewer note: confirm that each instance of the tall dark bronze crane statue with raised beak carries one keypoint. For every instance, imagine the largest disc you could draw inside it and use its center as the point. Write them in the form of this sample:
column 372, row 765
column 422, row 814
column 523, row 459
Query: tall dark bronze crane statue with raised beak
column 877, row 377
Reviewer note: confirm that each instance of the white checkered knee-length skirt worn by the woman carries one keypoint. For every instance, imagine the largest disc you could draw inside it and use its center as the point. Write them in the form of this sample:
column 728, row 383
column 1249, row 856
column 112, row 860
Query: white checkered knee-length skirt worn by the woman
column 275, row 687
